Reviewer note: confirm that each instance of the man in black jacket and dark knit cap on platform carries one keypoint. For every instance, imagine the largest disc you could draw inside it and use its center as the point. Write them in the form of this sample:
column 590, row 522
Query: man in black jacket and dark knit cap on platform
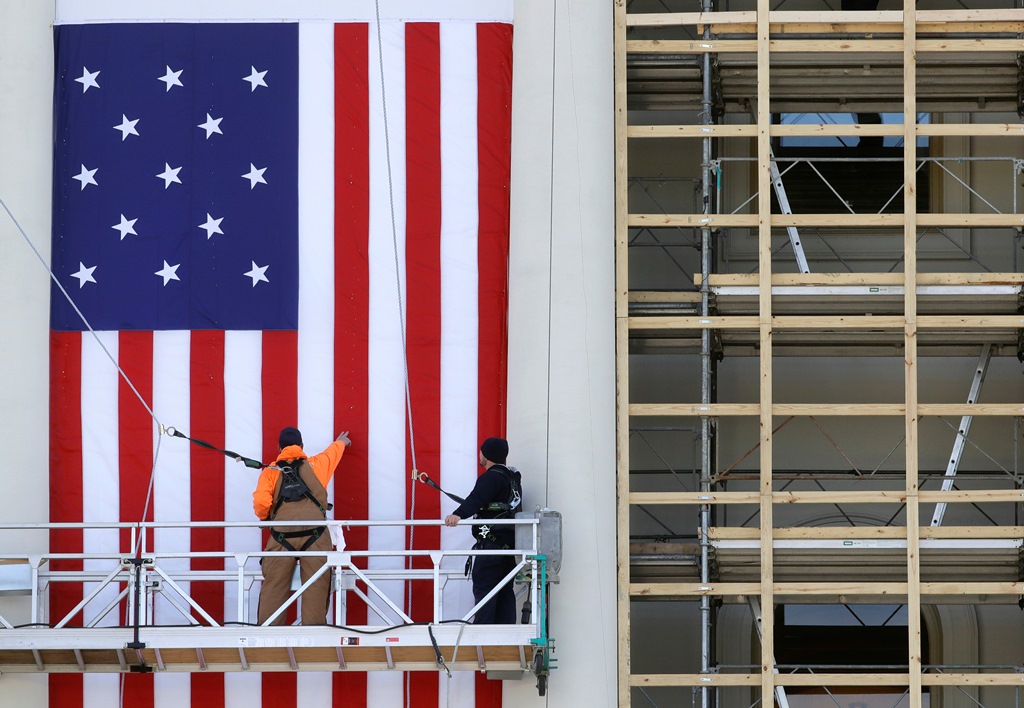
column 498, row 494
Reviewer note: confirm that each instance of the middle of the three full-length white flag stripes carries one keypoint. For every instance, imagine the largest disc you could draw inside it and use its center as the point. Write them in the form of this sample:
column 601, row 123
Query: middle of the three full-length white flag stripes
column 387, row 376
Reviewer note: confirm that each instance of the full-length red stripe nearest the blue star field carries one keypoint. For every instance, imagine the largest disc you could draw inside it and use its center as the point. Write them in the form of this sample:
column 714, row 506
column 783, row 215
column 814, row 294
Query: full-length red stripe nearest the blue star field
column 352, row 307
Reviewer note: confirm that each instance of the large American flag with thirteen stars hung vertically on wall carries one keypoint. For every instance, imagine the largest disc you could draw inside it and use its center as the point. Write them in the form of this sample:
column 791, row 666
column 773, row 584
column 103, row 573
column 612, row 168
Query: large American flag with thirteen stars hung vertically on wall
column 237, row 207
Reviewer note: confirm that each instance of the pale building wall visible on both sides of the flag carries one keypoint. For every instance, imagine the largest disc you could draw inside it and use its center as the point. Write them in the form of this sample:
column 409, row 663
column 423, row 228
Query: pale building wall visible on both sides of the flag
column 562, row 368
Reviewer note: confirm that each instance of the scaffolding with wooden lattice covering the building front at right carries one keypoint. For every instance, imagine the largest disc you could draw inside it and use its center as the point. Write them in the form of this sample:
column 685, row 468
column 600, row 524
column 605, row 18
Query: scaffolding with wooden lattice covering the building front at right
column 893, row 291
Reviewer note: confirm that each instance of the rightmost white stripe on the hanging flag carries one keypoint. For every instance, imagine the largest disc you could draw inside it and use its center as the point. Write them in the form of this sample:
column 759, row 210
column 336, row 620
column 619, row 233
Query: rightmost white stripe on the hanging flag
column 459, row 311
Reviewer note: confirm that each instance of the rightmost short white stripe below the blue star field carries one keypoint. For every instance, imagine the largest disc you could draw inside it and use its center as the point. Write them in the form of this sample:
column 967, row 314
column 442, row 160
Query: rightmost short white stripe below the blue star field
column 243, row 414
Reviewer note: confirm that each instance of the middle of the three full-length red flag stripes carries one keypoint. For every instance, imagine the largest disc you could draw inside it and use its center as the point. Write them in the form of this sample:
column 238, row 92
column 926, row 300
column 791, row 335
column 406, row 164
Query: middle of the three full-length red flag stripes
column 423, row 296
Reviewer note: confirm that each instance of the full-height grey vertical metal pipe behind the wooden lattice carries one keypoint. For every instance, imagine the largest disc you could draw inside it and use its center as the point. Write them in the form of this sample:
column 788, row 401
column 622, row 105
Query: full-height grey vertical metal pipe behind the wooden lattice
column 706, row 364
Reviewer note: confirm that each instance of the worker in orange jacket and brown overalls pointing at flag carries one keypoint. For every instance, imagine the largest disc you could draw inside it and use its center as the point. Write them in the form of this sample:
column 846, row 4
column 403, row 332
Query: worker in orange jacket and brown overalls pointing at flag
column 300, row 497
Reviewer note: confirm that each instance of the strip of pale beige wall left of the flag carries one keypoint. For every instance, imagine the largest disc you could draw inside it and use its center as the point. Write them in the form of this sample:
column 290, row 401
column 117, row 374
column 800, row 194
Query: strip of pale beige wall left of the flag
column 26, row 100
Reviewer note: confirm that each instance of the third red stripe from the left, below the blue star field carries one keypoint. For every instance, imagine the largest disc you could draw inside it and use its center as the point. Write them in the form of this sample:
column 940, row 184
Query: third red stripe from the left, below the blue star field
column 206, row 417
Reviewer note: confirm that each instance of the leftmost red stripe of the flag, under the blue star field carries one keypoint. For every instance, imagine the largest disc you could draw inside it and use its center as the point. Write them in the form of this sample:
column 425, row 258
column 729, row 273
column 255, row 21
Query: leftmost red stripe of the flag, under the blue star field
column 66, row 491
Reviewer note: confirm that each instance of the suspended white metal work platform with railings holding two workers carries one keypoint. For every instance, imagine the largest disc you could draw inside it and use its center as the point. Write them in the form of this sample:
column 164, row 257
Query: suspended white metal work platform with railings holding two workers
column 150, row 610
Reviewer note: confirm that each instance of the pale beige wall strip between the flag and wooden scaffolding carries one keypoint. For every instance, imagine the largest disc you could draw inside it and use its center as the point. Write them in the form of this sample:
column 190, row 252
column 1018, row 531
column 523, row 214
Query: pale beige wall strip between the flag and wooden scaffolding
column 562, row 318
